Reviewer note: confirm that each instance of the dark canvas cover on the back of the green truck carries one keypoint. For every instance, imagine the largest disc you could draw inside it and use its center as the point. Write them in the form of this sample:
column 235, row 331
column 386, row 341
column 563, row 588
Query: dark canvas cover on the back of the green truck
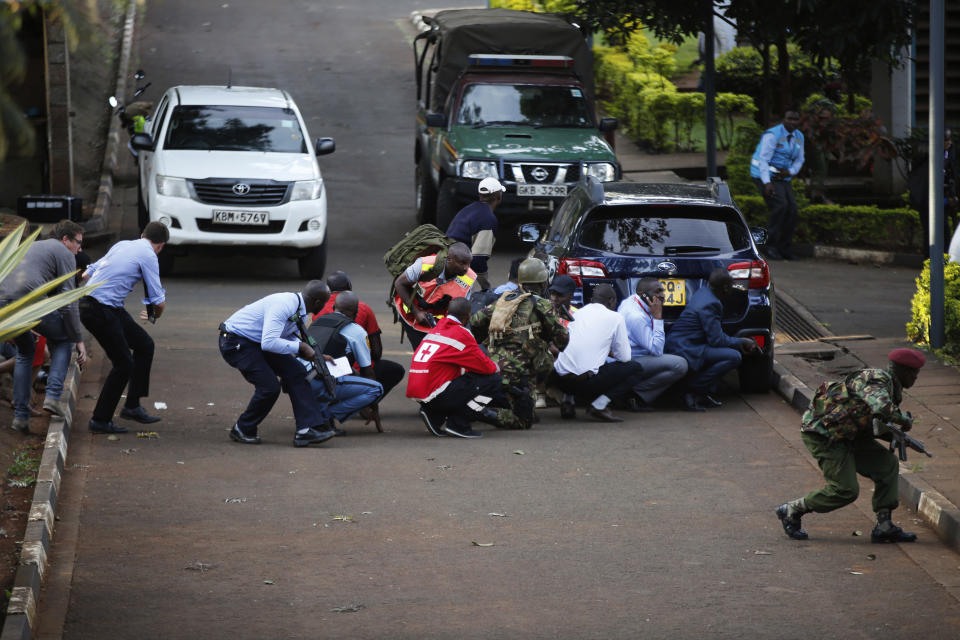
column 503, row 31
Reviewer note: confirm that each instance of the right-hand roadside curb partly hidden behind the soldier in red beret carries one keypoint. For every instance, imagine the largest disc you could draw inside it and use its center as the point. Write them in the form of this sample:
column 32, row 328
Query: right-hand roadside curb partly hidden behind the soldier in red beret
column 930, row 504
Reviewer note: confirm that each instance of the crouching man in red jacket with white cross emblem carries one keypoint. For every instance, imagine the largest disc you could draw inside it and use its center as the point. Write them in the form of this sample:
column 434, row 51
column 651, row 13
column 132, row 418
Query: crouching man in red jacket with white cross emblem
column 451, row 376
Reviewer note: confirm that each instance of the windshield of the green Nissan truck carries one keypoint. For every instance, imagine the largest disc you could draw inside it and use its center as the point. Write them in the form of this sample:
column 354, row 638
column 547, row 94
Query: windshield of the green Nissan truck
column 526, row 104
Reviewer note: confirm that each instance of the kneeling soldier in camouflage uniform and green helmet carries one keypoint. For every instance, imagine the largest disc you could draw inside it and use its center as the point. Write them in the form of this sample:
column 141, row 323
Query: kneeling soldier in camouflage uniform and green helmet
column 518, row 329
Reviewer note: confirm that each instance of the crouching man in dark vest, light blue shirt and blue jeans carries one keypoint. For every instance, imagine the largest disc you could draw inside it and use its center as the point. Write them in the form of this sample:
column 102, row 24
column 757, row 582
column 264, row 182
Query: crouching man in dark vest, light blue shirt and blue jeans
column 338, row 336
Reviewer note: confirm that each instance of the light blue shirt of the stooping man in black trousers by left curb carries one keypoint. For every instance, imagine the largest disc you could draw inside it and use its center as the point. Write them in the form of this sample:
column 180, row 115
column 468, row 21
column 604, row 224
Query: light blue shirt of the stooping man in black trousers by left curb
column 127, row 262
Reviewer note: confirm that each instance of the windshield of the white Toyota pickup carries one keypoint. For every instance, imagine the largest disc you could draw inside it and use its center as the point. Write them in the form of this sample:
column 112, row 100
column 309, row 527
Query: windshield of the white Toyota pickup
column 223, row 128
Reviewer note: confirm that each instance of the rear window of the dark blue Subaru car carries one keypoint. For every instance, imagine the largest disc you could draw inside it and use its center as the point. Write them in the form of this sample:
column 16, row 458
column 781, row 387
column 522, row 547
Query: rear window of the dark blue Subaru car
column 664, row 230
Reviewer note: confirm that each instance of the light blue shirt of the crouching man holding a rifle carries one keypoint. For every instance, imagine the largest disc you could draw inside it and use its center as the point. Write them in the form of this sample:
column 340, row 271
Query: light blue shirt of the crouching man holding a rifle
column 267, row 322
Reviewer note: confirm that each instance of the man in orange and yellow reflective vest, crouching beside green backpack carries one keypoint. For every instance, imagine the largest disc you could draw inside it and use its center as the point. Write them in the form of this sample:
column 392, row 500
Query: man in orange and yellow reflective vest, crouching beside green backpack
column 425, row 289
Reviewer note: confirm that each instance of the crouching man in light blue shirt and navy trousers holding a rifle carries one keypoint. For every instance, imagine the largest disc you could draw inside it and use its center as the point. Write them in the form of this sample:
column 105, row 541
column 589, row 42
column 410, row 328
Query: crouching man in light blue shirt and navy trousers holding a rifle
column 262, row 341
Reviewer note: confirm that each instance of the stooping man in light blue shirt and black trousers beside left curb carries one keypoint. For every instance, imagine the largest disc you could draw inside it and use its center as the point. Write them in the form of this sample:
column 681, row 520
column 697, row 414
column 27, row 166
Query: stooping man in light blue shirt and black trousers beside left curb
column 127, row 344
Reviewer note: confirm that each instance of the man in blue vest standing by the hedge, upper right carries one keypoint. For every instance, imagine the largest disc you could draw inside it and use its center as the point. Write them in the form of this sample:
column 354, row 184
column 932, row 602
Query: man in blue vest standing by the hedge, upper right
column 776, row 160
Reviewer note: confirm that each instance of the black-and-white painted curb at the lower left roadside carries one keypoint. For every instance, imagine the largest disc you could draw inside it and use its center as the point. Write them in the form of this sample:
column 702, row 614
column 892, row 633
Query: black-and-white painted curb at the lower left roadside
column 25, row 595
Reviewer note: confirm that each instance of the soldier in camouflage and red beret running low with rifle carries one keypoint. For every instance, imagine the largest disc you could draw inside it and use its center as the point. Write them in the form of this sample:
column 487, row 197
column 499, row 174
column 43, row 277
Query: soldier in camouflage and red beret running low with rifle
column 838, row 431
